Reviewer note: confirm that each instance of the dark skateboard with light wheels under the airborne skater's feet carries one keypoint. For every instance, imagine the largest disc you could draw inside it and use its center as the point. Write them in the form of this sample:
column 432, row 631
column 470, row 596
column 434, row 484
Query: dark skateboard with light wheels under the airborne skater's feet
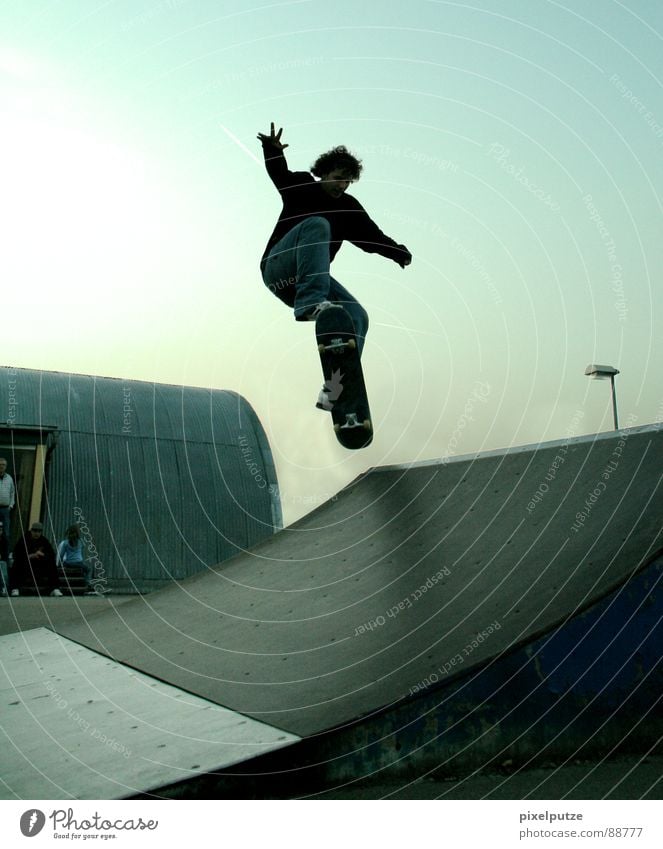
column 344, row 378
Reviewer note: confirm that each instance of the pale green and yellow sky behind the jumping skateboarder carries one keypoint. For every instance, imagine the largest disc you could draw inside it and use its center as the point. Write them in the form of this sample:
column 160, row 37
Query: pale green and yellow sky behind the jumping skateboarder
column 514, row 147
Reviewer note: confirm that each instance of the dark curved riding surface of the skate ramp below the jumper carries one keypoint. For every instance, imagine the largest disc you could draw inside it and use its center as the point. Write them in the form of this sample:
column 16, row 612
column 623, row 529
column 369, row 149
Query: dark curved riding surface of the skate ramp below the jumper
column 350, row 611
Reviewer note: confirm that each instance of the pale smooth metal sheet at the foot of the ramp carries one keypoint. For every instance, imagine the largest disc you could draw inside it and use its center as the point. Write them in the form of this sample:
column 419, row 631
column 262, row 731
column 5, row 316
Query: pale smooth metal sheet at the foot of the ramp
column 75, row 724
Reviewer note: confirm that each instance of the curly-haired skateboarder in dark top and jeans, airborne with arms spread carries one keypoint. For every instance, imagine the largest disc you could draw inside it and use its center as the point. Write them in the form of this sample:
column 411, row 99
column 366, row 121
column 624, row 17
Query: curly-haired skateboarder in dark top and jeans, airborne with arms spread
column 316, row 218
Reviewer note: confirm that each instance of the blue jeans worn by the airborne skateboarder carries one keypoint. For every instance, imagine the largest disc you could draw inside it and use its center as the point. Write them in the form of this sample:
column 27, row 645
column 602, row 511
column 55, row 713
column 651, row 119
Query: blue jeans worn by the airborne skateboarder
column 297, row 271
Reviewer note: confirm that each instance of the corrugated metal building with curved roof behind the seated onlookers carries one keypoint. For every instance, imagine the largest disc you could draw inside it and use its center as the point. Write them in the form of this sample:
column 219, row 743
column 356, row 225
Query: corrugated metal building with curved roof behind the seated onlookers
column 163, row 480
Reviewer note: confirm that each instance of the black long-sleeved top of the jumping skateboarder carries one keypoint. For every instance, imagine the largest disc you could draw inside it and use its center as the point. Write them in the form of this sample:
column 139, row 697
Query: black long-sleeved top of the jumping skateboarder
column 303, row 196
